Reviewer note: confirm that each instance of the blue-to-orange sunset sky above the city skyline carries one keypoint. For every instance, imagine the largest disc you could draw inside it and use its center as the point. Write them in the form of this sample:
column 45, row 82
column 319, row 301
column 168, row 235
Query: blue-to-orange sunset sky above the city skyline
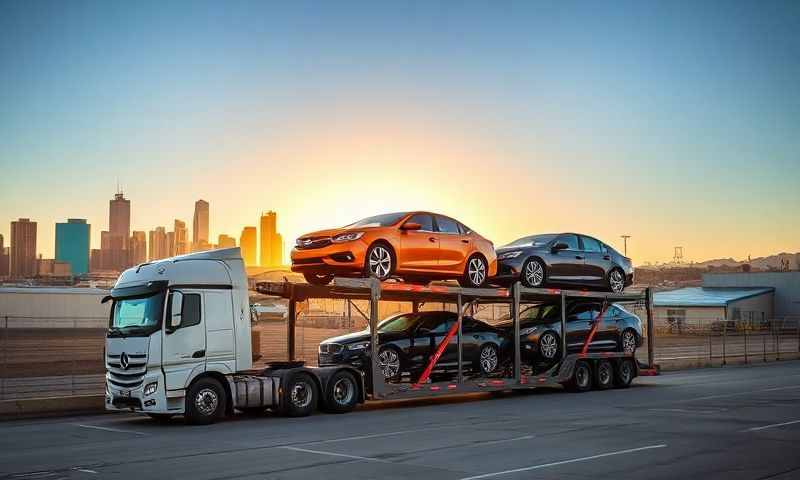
column 675, row 122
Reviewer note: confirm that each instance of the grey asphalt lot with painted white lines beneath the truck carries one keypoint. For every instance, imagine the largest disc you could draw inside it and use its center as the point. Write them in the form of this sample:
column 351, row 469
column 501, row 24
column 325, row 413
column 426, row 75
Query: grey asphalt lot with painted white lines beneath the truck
column 731, row 423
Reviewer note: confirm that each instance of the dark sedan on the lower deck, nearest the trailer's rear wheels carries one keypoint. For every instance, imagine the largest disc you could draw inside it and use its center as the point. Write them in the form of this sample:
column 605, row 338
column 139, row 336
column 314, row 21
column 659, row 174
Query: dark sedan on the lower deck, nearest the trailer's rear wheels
column 540, row 330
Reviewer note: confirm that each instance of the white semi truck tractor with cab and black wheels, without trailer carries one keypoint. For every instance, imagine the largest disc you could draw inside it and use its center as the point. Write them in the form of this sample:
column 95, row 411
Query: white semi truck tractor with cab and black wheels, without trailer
column 179, row 344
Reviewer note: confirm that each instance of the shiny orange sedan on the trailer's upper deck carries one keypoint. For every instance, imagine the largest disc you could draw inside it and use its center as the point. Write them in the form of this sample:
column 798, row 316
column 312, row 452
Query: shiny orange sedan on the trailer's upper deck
column 417, row 246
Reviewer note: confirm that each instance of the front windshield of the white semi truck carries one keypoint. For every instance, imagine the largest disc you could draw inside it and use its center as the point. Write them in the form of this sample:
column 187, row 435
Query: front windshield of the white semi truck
column 137, row 315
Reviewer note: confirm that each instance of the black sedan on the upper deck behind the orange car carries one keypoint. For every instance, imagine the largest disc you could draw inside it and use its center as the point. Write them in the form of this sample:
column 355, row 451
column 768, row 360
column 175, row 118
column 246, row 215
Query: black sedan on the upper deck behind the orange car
column 568, row 259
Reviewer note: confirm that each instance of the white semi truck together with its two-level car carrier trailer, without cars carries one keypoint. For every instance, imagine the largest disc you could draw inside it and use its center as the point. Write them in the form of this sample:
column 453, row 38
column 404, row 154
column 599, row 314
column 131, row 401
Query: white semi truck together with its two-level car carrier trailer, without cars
column 179, row 343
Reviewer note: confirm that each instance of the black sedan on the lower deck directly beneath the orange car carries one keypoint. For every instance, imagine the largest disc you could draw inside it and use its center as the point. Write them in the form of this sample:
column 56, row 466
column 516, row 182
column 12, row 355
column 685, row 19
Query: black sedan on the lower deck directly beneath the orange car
column 408, row 340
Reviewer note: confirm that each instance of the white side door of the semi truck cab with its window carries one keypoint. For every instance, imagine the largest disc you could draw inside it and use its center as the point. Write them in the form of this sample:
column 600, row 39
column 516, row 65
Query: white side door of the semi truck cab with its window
column 184, row 347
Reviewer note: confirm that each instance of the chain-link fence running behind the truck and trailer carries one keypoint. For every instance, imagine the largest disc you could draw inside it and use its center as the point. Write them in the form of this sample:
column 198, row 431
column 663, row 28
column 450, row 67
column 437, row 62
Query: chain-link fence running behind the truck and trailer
column 63, row 356
